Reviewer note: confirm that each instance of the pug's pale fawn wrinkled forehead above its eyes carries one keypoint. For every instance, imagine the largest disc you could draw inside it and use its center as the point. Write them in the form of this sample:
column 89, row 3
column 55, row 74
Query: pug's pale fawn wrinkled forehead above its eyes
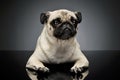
column 63, row 14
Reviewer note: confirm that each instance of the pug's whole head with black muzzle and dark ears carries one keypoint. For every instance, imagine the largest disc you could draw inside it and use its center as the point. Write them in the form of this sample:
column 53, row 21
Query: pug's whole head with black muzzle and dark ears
column 62, row 24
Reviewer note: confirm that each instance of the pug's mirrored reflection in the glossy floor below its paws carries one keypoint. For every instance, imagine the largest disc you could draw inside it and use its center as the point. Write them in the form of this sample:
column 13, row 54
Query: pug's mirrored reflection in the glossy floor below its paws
column 58, row 72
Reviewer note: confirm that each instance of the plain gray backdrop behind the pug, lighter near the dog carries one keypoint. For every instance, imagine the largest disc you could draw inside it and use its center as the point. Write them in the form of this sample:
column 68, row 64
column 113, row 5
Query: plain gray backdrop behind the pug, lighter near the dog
column 20, row 25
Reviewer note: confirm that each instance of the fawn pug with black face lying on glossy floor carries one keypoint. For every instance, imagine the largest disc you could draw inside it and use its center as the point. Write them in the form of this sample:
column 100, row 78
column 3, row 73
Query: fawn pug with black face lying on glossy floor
column 57, row 43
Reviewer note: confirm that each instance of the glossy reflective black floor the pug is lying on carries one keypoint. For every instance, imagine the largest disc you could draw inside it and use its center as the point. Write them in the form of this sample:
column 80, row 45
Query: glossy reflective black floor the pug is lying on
column 104, row 65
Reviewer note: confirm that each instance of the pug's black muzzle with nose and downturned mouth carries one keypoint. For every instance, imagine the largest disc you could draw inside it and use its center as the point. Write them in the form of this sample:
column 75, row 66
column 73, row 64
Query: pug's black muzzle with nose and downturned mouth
column 65, row 31
